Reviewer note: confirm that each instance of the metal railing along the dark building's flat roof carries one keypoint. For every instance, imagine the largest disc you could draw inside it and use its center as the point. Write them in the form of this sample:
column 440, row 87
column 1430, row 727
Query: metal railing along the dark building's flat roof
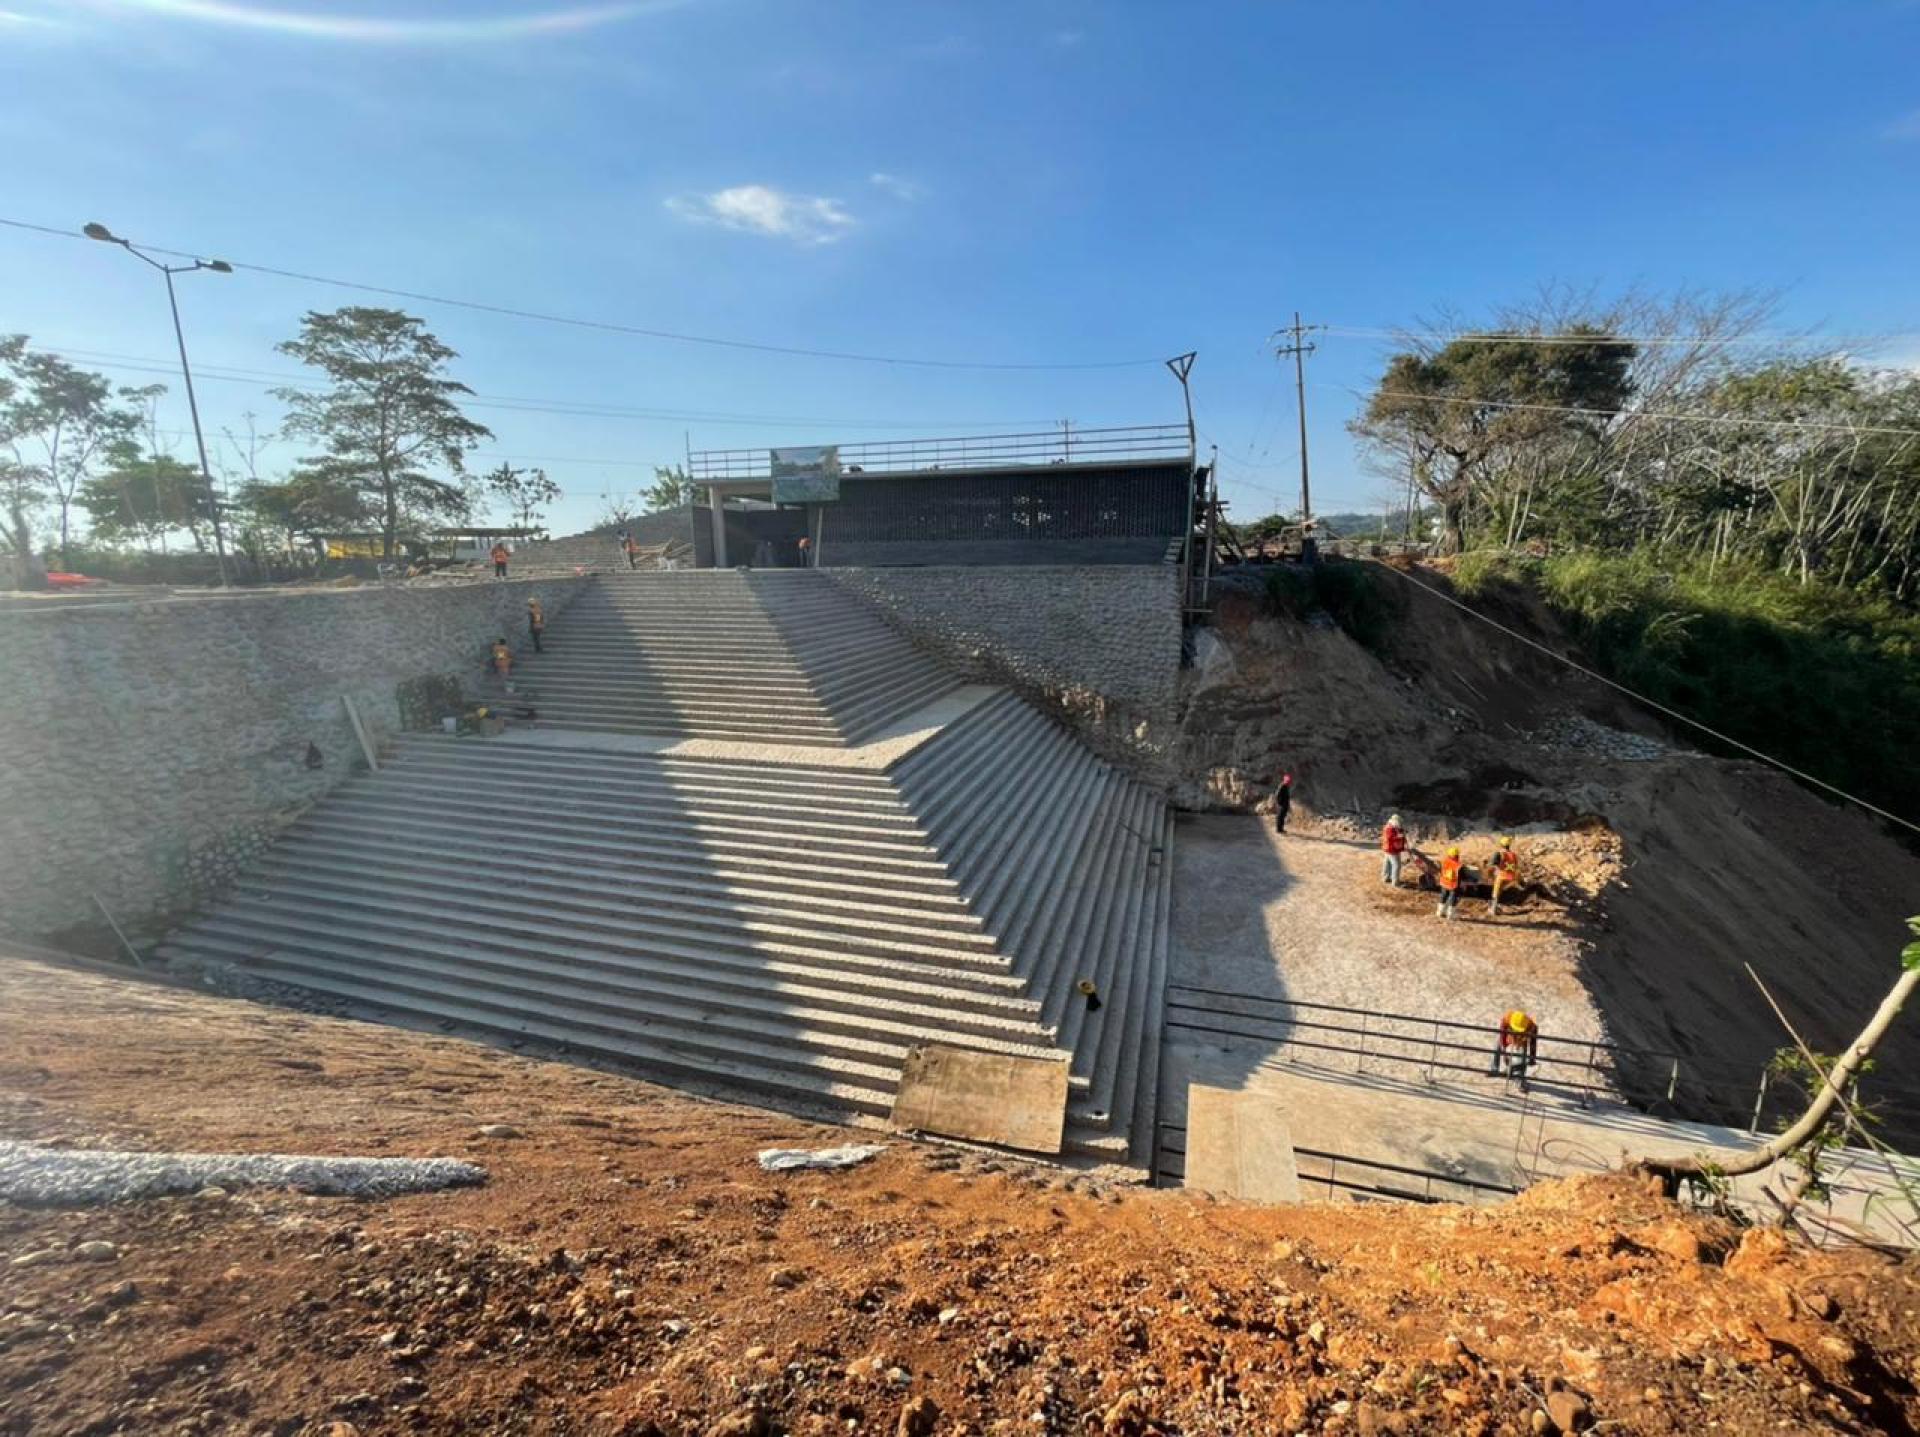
column 1080, row 447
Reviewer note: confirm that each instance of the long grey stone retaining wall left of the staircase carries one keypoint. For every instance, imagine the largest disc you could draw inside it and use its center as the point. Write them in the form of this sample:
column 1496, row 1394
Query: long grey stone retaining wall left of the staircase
column 149, row 750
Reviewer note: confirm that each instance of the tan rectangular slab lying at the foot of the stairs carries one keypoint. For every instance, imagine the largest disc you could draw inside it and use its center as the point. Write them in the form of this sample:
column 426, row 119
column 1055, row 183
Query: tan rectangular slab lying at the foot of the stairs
column 990, row 1098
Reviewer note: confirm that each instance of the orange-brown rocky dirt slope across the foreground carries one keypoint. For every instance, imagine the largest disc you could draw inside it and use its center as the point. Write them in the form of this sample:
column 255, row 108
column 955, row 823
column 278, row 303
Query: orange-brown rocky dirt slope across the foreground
column 629, row 1269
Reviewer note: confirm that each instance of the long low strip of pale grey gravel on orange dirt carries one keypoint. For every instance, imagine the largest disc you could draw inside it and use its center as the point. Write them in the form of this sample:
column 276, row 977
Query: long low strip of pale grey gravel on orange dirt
column 53, row 1177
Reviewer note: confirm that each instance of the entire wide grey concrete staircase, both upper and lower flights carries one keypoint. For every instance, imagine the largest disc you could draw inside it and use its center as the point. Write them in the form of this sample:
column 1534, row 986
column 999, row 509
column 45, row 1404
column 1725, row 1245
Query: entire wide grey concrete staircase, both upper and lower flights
column 757, row 923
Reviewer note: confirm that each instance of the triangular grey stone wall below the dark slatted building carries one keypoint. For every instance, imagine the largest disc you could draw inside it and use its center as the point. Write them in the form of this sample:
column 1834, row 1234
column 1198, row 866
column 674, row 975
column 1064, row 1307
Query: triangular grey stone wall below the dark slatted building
column 1095, row 645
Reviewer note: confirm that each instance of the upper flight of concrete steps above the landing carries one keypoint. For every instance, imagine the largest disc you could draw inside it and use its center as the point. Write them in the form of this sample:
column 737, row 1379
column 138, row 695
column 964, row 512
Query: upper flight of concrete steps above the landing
column 777, row 656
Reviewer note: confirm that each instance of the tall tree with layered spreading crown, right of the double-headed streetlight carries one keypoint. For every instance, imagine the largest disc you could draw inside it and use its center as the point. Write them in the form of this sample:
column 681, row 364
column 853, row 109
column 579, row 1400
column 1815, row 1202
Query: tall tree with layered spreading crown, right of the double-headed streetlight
column 389, row 416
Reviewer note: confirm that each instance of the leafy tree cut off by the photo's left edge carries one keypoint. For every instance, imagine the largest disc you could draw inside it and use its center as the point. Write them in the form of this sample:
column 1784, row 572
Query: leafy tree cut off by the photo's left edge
column 57, row 424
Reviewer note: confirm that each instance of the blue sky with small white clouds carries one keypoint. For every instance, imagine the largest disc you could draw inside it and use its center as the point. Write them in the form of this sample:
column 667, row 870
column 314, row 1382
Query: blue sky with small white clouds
column 1051, row 182
